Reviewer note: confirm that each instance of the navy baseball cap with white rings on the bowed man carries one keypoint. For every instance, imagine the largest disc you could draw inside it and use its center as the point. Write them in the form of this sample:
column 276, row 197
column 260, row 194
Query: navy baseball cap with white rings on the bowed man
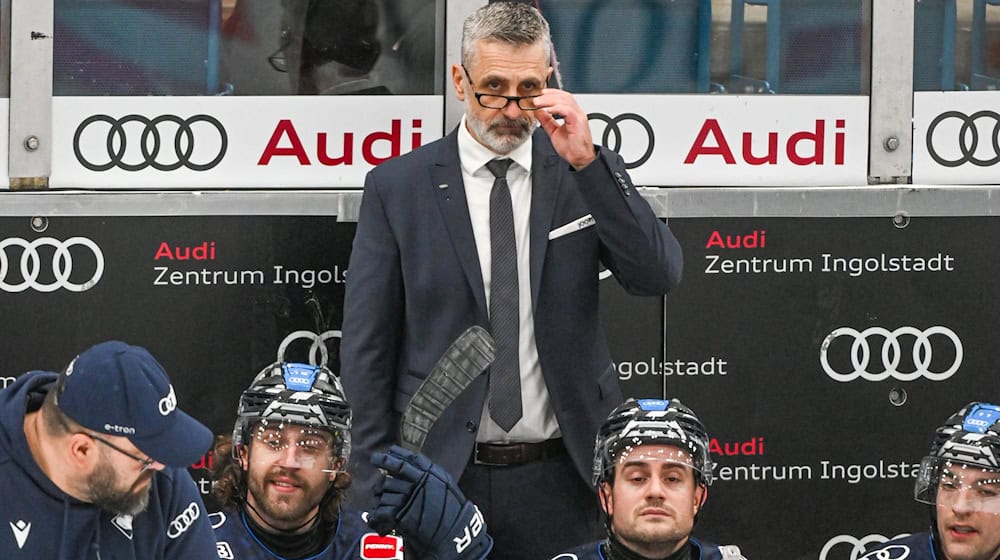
column 121, row 390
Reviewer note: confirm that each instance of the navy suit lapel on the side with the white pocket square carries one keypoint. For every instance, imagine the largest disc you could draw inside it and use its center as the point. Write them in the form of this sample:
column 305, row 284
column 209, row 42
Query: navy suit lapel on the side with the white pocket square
column 544, row 192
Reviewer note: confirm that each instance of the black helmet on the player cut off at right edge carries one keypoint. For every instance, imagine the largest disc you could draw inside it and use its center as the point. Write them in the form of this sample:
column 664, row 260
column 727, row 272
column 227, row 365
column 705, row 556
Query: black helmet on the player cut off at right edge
column 965, row 452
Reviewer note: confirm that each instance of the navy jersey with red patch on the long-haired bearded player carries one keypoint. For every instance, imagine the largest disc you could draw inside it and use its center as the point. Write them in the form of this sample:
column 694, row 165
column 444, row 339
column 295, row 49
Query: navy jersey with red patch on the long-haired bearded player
column 353, row 540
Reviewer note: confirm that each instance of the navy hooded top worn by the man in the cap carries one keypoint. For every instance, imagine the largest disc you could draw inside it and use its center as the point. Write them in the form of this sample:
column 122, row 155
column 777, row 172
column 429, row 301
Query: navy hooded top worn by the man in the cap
column 41, row 521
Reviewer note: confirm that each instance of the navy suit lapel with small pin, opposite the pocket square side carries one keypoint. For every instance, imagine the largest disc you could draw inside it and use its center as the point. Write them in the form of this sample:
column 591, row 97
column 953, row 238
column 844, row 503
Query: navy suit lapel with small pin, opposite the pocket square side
column 449, row 191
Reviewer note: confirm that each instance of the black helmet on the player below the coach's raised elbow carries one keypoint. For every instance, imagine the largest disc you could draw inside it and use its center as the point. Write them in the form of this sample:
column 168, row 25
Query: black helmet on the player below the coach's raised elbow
column 651, row 421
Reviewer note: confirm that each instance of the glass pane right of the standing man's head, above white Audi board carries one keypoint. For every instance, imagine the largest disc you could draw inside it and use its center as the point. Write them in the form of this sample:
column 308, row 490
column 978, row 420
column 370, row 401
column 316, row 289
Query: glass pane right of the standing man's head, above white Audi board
column 700, row 46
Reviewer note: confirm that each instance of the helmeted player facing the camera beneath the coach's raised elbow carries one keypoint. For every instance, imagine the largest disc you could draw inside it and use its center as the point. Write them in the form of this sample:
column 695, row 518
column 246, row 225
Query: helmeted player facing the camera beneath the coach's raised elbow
column 652, row 471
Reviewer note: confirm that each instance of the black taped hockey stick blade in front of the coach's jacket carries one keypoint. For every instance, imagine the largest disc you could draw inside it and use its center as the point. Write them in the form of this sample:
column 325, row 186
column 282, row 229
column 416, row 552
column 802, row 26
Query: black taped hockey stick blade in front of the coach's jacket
column 466, row 359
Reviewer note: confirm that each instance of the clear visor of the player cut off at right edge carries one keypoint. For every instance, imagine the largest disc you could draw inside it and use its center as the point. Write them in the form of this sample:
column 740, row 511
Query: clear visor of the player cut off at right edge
column 944, row 483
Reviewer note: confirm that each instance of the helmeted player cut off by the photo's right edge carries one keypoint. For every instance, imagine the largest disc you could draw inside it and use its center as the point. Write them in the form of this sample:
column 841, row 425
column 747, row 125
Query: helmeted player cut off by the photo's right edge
column 961, row 479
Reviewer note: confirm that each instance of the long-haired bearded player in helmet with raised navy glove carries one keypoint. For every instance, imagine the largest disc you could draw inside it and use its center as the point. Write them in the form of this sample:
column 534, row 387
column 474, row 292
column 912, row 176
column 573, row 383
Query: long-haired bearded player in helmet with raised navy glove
column 281, row 479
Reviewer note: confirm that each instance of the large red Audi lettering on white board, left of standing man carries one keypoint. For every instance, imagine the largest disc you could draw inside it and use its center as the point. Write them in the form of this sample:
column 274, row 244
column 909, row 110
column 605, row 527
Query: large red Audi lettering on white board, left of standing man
column 375, row 148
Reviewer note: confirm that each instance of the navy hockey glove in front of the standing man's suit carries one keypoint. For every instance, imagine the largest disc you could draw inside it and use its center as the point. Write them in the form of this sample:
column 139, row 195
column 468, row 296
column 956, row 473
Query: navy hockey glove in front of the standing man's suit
column 421, row 501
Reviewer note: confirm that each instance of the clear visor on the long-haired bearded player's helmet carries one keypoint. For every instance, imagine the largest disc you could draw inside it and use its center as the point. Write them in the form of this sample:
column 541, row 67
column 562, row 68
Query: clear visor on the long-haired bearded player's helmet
column 296, row 446
